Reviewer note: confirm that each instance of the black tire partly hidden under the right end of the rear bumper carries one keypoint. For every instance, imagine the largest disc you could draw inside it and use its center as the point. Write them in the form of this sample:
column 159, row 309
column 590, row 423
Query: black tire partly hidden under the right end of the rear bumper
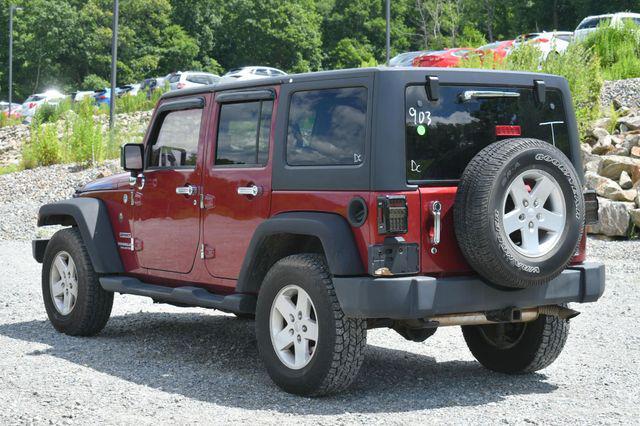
column 540, row 345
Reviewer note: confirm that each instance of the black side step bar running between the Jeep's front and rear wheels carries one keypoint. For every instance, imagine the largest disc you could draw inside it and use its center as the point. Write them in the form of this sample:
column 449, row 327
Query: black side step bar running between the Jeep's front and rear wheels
column 189, row 296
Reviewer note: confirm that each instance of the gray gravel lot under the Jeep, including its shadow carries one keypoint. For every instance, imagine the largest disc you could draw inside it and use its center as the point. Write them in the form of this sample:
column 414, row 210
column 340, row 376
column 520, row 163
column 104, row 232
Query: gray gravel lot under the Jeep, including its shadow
column 157, row 364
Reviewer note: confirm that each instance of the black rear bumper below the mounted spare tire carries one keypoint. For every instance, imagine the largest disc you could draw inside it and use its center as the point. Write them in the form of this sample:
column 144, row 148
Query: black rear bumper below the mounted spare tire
column 424, row 297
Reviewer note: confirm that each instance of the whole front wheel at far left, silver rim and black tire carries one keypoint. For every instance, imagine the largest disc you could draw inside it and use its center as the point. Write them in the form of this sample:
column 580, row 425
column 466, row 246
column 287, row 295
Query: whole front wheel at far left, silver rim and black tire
column 75, row 302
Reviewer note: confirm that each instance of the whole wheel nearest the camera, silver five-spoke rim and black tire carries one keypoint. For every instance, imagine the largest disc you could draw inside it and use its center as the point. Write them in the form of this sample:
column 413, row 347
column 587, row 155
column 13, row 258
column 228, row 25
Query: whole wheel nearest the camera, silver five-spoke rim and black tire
column 307, row 344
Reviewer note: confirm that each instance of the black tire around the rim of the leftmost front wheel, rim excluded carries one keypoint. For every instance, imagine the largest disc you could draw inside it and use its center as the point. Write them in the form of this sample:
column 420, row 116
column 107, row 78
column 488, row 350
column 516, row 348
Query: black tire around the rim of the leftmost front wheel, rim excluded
column 93, row 305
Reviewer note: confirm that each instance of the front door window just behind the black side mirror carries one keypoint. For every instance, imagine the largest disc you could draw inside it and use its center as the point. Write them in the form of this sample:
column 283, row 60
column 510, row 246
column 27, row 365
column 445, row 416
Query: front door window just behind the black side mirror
column 177, row 142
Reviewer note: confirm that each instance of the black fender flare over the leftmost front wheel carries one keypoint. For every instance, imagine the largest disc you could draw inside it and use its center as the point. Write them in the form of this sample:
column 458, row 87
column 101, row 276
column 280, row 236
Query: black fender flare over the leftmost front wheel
column 91, row 217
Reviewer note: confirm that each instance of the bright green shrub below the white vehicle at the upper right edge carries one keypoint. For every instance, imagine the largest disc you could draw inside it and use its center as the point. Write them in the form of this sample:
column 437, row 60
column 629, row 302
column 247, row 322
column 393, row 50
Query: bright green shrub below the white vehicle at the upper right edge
column 618, row 49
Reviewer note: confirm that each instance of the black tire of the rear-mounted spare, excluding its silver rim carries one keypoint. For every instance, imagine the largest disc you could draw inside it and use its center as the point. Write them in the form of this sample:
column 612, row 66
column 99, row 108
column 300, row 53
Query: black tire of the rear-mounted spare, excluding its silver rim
column 477, row 216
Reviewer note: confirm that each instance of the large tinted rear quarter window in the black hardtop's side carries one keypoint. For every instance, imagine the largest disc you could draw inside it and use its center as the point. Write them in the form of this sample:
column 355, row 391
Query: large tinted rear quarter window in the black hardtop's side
column 327, row 127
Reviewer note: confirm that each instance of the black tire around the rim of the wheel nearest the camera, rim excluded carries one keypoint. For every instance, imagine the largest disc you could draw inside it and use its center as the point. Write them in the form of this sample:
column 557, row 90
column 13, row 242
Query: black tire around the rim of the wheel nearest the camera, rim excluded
column 341, row 341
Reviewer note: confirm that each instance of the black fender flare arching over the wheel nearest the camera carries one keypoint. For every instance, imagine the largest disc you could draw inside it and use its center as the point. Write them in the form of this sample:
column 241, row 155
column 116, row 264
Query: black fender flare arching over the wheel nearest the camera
column 331, row 229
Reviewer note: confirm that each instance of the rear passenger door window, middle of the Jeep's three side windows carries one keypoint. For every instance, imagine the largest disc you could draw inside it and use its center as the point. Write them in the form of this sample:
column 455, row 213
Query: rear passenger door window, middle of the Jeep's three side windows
column 243, row 133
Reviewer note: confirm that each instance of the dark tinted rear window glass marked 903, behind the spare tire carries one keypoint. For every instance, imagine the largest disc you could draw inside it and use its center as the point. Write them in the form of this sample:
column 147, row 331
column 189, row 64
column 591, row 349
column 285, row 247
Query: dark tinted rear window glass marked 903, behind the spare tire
column 443, row 136
